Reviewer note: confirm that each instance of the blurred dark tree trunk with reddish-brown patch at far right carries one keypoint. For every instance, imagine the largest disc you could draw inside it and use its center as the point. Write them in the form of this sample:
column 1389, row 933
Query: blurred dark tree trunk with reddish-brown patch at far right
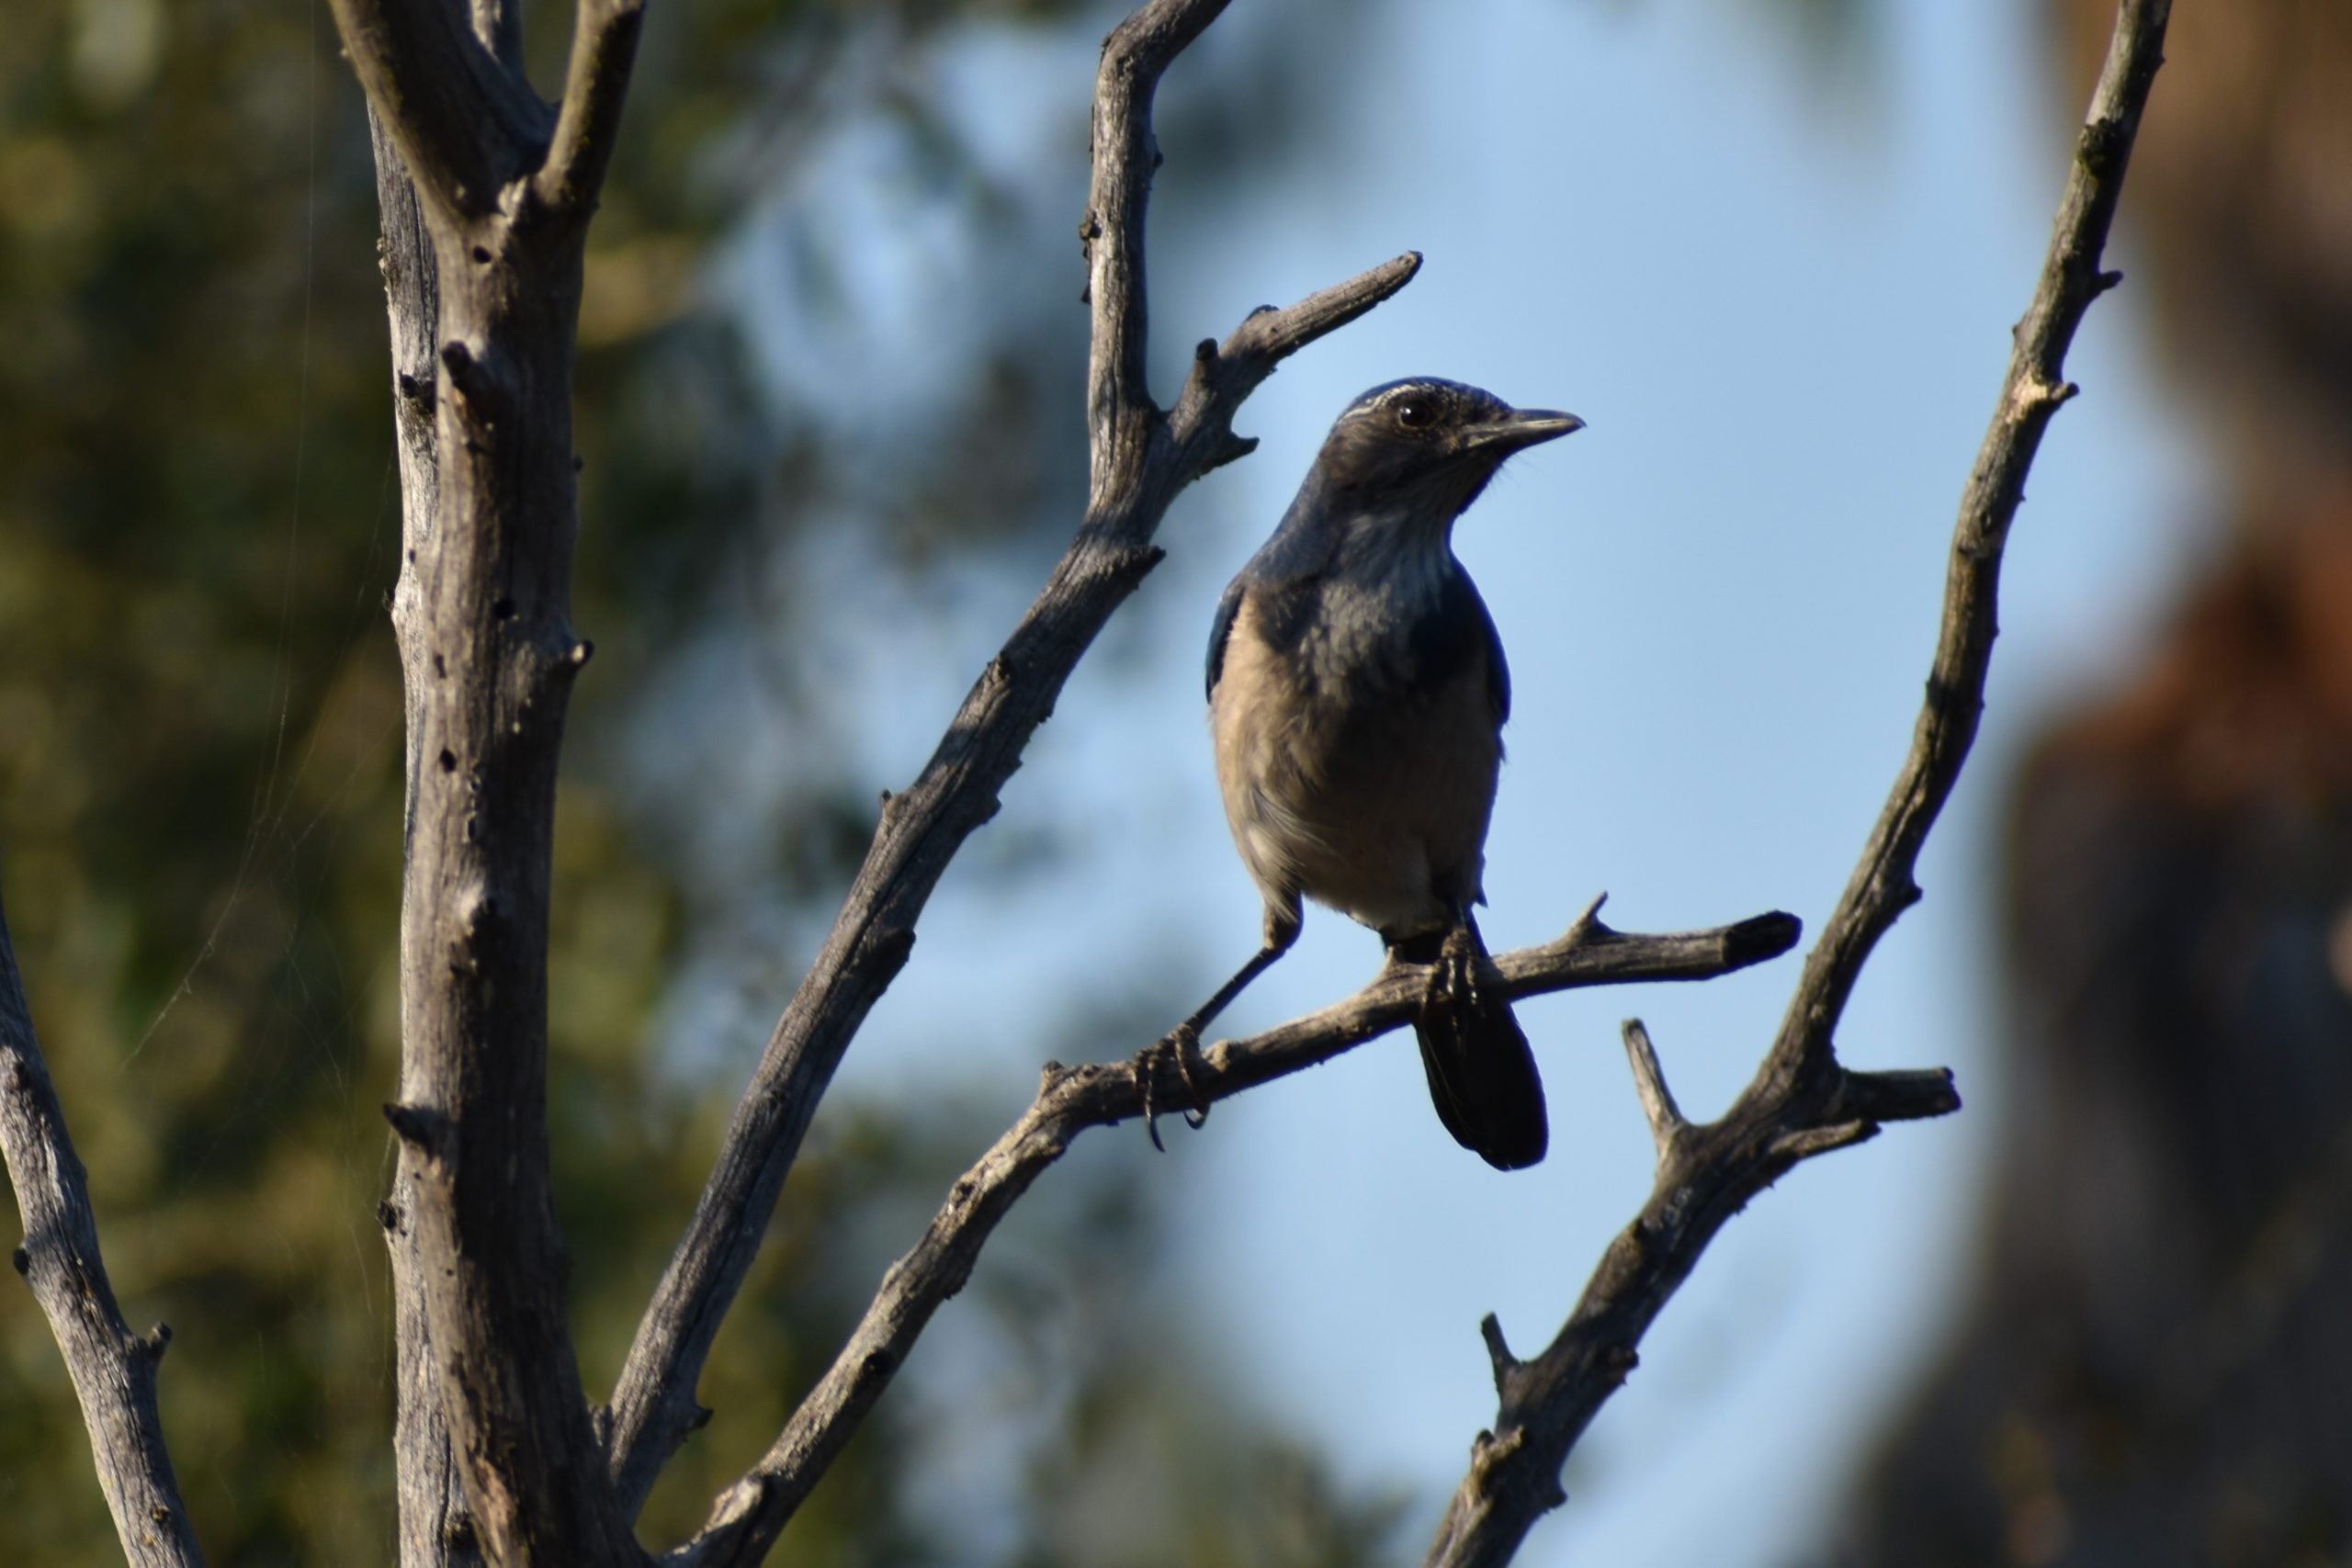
column 2156, row 1365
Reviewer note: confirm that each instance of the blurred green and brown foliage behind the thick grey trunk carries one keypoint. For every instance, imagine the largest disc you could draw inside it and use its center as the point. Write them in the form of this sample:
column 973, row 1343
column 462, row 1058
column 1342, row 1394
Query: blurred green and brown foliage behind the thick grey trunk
column 201, row 798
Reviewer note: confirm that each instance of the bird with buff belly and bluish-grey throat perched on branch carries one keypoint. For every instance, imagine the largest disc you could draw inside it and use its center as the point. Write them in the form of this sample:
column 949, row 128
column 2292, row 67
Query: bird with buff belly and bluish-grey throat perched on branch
column 1356, row 702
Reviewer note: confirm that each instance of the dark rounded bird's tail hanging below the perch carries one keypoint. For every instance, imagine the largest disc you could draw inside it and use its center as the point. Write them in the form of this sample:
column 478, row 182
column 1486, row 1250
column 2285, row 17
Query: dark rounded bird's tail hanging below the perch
column 1483, row 1076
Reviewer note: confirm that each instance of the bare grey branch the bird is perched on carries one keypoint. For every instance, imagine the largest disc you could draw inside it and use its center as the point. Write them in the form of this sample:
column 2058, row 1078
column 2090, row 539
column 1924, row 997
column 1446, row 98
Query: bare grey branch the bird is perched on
column 754, row 1510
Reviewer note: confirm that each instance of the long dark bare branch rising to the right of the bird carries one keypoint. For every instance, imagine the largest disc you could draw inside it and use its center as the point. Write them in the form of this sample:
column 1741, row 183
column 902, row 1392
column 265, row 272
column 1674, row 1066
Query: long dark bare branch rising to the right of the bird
column 1803, row 1101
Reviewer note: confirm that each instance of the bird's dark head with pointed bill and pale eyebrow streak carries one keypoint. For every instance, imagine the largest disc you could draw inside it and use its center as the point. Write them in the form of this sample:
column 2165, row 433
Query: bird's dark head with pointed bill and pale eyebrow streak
column 1426, row 448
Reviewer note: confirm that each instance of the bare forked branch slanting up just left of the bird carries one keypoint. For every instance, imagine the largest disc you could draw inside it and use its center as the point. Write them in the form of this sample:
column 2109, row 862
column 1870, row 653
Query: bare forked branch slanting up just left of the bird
column 1142, row 460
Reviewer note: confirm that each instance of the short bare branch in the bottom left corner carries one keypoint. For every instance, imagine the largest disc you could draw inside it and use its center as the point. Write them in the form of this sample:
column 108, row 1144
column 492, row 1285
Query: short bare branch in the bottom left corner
column 114, row 1369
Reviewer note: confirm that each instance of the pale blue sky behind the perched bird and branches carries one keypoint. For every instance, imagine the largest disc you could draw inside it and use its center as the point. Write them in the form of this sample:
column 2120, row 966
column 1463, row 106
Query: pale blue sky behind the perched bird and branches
column 1784, row 314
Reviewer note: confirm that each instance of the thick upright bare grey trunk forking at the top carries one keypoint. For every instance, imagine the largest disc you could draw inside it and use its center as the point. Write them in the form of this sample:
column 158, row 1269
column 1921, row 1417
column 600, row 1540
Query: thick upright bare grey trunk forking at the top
column 502, row 194
